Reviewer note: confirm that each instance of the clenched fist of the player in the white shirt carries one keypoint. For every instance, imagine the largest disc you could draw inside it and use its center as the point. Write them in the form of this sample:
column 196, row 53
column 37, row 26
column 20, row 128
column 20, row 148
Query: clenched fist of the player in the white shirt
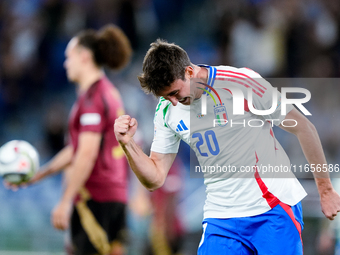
column 125, row 127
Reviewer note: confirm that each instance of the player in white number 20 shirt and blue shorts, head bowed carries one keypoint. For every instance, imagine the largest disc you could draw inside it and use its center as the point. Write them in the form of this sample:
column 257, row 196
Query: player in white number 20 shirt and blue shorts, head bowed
column 244, row 213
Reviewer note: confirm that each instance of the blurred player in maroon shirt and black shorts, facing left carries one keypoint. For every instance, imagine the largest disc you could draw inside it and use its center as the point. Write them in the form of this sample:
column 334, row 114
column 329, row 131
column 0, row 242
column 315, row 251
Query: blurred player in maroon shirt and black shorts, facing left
column 94, row 200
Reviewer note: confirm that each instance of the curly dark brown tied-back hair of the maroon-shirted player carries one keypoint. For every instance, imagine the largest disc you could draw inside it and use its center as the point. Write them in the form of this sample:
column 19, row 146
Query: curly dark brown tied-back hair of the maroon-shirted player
column 109, row 46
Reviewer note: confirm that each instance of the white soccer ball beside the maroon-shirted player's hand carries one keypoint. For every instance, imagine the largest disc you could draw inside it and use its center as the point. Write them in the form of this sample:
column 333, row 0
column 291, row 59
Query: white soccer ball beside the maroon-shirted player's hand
column 19, row 161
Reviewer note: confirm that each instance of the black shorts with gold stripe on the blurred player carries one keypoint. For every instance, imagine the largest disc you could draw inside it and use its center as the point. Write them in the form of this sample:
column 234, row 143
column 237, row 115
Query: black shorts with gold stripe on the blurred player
column 95, row 227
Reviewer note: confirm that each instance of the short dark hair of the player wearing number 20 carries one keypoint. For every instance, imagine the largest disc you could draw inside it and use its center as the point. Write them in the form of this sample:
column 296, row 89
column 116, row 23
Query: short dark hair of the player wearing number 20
column 163, row 64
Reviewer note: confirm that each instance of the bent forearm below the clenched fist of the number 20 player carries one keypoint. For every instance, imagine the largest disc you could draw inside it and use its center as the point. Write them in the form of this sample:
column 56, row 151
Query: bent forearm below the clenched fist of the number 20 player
column 143, row 166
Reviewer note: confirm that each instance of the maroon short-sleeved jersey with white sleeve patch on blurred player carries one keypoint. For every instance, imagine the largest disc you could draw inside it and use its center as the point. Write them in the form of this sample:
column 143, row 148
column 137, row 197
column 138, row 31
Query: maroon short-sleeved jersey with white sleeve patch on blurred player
column 96, row 111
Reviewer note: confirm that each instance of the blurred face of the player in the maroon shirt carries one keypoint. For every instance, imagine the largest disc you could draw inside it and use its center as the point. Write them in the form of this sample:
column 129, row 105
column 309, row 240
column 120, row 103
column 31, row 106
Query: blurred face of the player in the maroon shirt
column 72, row 62
